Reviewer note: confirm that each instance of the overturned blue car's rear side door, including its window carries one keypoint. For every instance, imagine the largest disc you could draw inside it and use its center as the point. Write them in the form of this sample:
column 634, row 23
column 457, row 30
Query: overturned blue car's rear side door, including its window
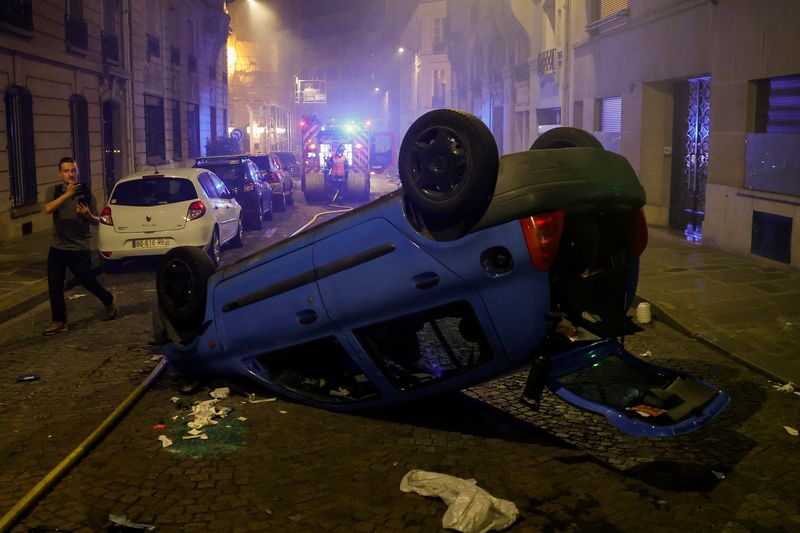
column 414, row 322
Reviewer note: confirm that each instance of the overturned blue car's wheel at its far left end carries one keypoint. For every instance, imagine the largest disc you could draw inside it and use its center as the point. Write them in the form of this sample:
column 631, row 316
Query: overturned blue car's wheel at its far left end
column 182, row 285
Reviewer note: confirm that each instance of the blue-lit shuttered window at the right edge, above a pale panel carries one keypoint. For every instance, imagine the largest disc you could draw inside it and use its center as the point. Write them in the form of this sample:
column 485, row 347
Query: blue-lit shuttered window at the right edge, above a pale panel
column 778, row 105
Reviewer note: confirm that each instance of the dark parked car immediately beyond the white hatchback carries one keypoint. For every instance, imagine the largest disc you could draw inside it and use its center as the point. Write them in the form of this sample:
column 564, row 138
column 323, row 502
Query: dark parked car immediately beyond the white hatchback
column 244, row 180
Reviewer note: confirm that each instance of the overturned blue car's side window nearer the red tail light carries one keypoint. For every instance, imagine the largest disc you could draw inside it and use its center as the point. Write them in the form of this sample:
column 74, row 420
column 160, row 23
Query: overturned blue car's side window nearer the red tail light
column 423, row 348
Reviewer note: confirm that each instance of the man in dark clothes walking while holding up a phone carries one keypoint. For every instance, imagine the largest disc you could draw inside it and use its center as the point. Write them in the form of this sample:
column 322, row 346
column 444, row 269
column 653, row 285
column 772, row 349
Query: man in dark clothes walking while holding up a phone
column 72, row 206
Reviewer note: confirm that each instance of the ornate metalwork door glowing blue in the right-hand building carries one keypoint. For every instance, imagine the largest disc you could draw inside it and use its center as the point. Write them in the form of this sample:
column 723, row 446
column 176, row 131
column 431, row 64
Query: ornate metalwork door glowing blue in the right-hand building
column 690, row 157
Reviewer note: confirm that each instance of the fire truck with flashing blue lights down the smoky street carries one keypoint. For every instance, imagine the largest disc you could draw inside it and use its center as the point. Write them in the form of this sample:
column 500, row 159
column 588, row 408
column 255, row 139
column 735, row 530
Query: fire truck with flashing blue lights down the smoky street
column 368, row 153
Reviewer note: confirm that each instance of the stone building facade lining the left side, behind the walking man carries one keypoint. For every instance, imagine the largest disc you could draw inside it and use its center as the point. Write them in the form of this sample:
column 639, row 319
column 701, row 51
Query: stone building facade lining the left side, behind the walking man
column 121, row 85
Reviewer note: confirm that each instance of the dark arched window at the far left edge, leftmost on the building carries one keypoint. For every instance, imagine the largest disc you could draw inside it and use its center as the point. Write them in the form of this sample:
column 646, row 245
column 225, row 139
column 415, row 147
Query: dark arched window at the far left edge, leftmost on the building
column 21, row 156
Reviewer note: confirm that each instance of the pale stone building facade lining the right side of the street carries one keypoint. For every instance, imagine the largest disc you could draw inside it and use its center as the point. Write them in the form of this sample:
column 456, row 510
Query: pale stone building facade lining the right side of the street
column 702, row 97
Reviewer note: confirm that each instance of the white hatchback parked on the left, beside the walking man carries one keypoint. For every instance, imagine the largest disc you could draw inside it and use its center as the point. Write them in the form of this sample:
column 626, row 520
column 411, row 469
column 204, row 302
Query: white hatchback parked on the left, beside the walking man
column 150, row 213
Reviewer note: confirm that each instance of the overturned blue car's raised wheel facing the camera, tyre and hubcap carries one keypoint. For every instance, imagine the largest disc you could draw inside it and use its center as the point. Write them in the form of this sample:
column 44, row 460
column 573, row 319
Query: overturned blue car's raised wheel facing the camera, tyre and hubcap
column 448, row 165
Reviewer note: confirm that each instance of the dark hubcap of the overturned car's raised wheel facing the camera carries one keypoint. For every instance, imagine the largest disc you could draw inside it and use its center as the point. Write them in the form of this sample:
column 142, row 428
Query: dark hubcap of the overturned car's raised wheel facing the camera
column 439, row 163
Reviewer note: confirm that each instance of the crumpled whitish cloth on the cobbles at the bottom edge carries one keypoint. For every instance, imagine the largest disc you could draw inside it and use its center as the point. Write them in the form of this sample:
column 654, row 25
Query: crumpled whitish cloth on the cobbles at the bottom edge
column 470, row 508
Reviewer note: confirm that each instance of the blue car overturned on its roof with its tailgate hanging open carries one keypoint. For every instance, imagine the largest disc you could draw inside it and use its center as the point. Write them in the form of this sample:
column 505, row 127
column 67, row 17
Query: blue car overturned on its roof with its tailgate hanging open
column 462, row 275
